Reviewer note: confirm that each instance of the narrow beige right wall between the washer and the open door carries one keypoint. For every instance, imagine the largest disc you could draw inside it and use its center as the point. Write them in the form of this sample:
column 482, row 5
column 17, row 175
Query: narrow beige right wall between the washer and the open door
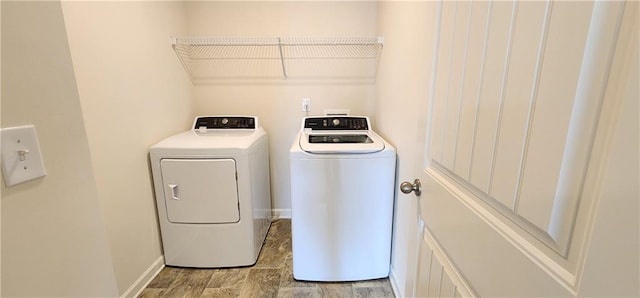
column 401, row 98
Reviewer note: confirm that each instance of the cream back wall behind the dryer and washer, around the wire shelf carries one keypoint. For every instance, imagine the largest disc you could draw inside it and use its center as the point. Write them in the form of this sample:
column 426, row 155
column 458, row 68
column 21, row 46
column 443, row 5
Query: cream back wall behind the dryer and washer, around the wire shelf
column 278, row 106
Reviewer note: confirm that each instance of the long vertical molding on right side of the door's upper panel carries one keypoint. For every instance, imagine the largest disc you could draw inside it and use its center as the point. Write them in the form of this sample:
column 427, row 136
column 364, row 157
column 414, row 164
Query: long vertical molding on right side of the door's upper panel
column 582, row 154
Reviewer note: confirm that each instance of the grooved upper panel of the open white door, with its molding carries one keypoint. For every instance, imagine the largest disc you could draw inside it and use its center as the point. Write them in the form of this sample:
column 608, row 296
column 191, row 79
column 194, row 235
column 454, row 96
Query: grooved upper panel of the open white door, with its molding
column 539, row 147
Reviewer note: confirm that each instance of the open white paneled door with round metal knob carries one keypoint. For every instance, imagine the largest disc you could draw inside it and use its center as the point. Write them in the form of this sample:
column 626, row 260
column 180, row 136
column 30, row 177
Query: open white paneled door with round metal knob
column 525, row 98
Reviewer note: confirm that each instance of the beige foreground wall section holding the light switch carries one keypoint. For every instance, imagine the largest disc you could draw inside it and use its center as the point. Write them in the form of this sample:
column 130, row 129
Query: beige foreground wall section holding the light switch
column 54, row 242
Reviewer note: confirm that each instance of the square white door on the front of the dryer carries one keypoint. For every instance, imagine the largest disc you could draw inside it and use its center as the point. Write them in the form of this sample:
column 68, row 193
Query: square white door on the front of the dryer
column 200, row 190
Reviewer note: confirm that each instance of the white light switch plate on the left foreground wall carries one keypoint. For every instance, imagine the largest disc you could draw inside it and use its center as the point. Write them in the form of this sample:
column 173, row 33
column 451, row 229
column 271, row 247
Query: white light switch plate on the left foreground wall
column 21, row 158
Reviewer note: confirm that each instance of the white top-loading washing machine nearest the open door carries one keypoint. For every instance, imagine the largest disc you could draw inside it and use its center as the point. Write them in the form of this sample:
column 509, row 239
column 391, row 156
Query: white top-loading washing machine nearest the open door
column 342, row 193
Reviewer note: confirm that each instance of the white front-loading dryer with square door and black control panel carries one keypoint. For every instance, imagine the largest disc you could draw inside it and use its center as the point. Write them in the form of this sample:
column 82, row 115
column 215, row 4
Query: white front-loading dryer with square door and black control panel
column 212, row 192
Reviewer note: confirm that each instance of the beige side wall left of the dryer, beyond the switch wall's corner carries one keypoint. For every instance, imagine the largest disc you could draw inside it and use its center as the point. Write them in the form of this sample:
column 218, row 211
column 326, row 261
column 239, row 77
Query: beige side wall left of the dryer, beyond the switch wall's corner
column 133, row 93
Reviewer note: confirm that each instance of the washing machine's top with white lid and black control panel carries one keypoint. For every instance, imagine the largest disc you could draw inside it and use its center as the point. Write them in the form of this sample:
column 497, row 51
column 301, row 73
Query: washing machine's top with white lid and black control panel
column 342, row 134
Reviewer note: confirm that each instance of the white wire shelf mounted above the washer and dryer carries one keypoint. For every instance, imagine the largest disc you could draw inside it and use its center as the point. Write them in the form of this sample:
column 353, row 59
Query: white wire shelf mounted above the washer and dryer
column 220, row 59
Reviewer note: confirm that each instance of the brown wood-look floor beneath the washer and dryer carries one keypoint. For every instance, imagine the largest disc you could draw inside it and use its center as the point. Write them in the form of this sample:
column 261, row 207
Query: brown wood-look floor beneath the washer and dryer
column 271, row 276
